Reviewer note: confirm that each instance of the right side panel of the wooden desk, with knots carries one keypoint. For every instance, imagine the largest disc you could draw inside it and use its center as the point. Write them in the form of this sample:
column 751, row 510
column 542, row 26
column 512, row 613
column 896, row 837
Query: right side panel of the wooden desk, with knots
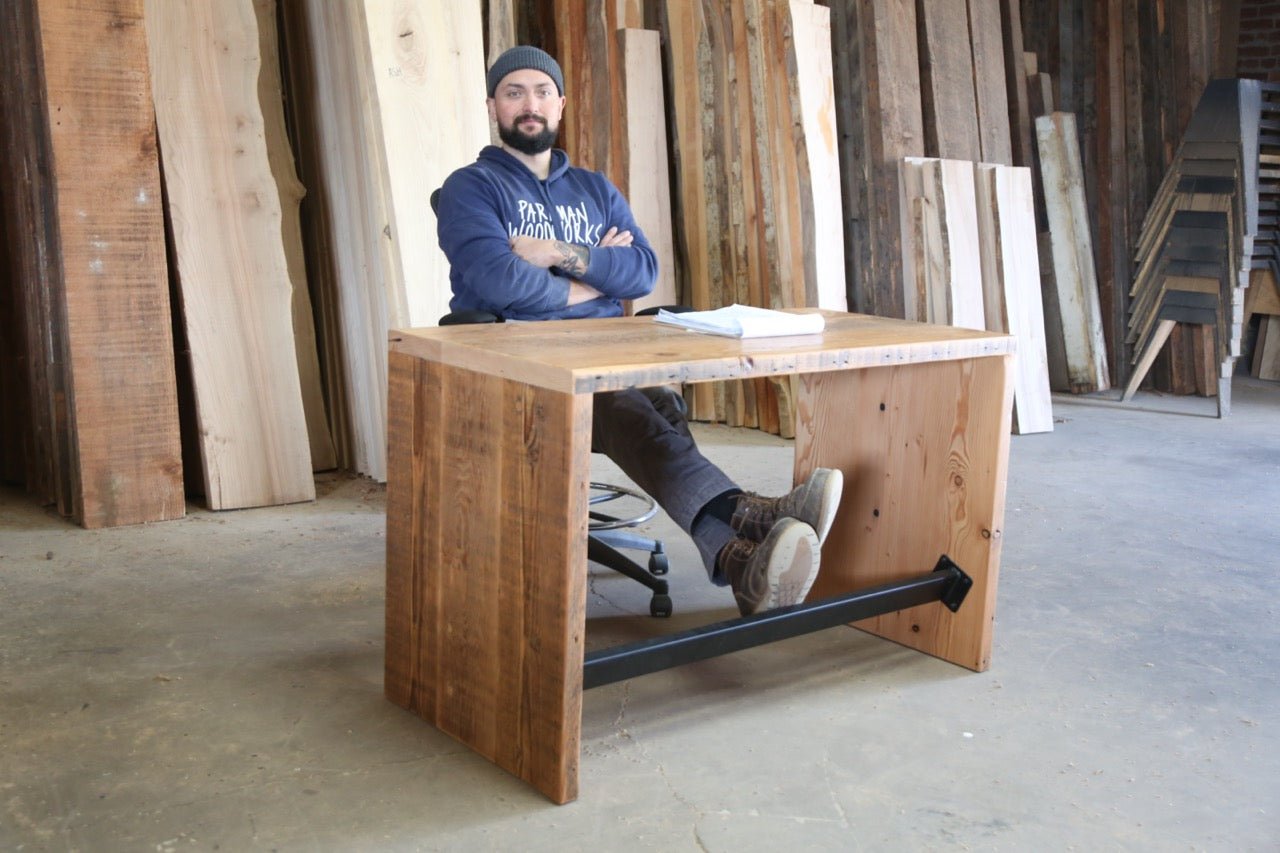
column 925, row 450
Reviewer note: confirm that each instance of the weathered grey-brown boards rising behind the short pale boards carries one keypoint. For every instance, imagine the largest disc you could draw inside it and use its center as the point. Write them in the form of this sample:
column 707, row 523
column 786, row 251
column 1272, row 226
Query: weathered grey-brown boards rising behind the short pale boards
column 916, row 80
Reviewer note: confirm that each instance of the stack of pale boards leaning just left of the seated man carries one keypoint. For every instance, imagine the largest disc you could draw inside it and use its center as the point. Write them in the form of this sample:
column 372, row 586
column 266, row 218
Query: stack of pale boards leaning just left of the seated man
column 388, row 99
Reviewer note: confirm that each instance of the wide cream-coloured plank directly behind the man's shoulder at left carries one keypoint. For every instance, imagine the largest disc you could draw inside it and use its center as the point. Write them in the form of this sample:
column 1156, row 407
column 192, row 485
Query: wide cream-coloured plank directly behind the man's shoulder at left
column 427, row 61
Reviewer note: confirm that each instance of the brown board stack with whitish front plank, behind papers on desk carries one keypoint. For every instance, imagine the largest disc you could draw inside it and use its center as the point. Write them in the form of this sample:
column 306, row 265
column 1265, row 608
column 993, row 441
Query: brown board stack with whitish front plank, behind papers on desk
column 753, row 199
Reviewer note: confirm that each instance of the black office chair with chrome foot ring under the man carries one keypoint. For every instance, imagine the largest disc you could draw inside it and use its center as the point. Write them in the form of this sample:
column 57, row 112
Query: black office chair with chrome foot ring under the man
column 609, row 533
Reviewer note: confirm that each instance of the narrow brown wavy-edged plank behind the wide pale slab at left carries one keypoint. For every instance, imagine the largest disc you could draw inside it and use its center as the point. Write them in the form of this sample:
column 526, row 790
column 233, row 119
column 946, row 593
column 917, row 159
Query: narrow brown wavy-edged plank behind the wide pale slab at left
column 281, row 157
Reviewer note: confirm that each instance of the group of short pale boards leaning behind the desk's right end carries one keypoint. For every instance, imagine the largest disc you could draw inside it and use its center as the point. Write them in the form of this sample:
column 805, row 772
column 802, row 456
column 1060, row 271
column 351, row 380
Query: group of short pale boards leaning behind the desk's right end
column 972, row 262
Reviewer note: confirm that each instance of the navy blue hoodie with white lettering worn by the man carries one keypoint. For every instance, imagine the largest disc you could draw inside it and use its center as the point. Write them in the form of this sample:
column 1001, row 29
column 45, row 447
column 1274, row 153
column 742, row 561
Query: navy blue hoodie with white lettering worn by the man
column 497, row 198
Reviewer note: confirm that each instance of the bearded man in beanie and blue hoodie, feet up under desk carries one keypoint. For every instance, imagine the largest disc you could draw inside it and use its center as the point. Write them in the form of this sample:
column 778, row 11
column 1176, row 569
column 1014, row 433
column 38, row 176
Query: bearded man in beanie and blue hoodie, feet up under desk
column 529, row 238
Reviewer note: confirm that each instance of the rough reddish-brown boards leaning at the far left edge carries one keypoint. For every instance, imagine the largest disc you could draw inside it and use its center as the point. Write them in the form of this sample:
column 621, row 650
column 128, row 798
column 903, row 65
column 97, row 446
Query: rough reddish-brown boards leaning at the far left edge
column 89, row 381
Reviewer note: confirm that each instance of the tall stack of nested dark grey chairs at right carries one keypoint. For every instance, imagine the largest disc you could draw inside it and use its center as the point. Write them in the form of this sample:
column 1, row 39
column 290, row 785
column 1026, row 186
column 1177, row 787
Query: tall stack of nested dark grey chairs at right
column 1196, row 248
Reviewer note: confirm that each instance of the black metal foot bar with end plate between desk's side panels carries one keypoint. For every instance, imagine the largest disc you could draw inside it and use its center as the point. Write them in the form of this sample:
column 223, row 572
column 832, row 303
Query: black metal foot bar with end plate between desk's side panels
column 948, row 583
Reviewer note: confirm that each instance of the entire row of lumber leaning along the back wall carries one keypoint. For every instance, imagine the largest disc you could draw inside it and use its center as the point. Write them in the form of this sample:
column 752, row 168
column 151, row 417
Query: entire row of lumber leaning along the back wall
column 788, row 153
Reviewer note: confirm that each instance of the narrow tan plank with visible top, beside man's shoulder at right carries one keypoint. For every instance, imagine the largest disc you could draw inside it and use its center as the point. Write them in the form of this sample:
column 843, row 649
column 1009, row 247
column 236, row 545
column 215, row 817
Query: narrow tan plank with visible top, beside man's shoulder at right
column 647, row 156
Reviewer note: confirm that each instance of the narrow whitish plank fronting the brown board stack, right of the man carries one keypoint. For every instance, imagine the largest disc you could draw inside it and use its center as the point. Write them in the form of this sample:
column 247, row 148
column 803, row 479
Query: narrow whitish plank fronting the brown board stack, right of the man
column 811, row 26
